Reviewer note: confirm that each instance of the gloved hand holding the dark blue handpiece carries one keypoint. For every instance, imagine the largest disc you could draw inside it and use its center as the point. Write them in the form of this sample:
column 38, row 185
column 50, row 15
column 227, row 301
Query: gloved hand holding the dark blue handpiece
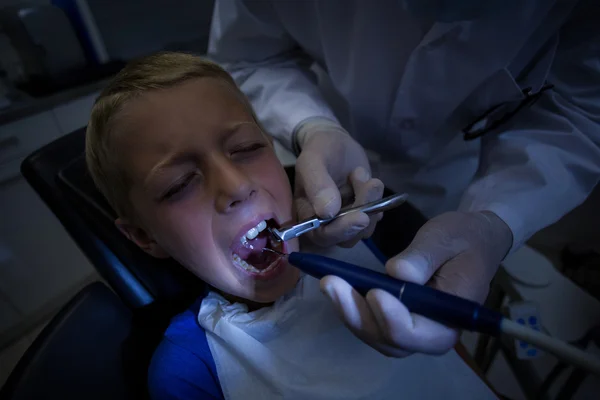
column 456, row 252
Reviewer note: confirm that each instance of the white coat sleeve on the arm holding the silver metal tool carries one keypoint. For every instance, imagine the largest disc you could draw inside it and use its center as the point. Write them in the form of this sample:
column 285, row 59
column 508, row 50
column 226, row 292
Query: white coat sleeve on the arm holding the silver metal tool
column 248, row 39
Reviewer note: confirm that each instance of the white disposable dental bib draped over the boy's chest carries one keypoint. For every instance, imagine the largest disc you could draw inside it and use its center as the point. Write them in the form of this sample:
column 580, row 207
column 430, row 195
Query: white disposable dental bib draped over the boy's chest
column 299, row 349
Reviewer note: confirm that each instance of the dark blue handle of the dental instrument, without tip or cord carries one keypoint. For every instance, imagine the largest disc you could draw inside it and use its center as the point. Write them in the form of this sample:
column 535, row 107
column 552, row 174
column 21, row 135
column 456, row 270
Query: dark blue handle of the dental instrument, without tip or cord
column 423, row 300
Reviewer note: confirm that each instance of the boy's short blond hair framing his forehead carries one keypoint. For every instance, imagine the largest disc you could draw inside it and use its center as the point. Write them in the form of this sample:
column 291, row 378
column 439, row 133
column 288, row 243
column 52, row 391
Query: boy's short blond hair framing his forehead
column 154, row 72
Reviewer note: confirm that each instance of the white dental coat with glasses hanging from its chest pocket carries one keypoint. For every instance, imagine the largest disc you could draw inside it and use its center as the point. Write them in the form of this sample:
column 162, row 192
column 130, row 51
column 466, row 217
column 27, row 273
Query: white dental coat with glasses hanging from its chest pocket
column 405, row 88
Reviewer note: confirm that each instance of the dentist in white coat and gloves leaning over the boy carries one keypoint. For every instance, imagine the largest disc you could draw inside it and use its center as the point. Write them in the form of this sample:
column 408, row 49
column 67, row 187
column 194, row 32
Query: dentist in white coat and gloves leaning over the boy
column 486, row 113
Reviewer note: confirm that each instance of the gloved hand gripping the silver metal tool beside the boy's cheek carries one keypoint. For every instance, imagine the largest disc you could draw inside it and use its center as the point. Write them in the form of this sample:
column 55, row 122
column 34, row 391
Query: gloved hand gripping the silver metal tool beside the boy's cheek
column 333, row 167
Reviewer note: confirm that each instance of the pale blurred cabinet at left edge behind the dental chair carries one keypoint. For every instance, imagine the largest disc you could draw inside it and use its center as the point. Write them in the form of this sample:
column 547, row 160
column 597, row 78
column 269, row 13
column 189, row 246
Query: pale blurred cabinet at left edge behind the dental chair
column 40, row 265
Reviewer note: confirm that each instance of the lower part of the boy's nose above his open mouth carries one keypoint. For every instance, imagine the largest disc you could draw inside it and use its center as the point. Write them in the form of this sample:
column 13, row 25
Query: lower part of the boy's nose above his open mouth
column 233, row 188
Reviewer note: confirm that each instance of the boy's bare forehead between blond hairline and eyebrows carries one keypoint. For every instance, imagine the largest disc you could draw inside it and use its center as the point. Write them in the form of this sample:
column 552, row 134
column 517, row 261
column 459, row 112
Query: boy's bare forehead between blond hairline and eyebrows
column 164, row 121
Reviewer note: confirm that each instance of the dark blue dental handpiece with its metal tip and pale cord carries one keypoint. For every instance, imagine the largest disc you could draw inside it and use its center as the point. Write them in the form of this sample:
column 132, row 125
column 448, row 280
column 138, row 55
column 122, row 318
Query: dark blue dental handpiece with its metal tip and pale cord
column 440, row 306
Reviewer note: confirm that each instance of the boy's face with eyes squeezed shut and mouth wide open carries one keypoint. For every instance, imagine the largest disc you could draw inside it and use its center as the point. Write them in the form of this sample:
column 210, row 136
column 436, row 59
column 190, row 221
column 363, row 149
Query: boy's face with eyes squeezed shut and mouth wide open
column 203, row 174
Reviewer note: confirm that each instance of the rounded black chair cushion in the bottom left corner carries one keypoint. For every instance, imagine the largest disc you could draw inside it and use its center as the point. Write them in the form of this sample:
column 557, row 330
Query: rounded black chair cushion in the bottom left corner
column 80, row 354
